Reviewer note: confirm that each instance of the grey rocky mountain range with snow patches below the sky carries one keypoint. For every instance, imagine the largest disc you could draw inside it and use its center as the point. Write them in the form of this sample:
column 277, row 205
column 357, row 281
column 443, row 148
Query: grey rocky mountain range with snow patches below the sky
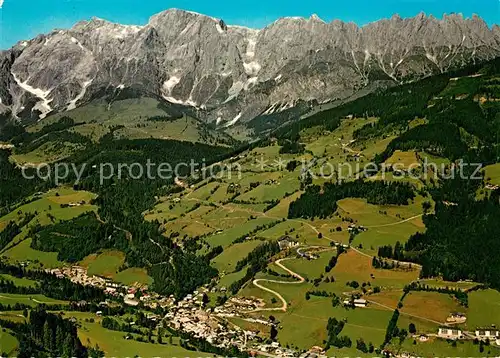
column 229, row 73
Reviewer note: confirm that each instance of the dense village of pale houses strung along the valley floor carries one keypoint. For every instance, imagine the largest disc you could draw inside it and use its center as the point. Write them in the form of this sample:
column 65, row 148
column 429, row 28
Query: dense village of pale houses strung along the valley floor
column 190, row 316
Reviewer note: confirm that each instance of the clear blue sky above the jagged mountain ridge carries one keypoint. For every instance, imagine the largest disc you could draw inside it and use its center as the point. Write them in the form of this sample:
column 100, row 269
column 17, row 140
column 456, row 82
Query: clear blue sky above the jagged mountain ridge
column 24, row 19
